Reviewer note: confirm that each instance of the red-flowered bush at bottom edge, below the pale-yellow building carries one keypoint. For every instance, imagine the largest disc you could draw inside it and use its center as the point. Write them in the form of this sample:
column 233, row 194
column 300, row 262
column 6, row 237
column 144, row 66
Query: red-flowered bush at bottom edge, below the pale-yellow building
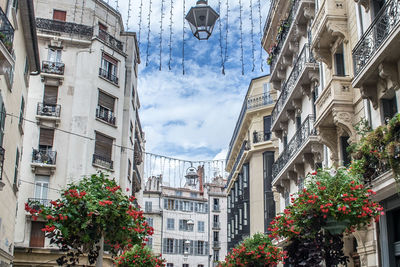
column 255, row 251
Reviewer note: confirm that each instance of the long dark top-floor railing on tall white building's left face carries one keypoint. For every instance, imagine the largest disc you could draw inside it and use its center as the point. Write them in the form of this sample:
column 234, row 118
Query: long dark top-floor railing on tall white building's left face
column 65, row 27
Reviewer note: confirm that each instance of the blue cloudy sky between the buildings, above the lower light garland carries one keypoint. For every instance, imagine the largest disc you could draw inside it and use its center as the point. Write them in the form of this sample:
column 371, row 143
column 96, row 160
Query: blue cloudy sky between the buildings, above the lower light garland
column 192, row 116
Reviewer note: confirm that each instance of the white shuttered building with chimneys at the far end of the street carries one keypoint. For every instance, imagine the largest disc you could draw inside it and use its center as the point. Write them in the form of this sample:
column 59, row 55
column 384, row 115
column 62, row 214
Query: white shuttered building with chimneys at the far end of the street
column 189, row 222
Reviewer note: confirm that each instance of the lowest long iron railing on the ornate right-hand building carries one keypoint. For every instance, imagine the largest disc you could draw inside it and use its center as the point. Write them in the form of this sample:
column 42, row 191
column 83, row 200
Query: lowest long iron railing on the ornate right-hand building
column 302, row 134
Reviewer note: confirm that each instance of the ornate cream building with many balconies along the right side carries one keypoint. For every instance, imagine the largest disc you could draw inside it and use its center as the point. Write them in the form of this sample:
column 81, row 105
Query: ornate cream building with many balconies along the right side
column 333, row 64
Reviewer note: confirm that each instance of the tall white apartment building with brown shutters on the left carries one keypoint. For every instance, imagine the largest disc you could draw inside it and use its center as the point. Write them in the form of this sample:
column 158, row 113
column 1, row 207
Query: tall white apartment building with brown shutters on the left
column 82, row 109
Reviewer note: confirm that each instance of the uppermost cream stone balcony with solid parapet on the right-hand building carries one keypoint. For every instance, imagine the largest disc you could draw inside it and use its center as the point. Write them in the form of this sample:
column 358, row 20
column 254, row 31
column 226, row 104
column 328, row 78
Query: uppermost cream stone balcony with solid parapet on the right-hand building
column 329, row 29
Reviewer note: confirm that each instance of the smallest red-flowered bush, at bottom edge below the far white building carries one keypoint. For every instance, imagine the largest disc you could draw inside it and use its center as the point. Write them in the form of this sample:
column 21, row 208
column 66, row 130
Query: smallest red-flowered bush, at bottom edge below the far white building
column 139, row 256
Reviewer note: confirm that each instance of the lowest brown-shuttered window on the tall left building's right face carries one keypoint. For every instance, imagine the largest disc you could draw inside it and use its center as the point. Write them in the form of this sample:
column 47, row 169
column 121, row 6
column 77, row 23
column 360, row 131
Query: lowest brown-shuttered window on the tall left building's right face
column 103, row 151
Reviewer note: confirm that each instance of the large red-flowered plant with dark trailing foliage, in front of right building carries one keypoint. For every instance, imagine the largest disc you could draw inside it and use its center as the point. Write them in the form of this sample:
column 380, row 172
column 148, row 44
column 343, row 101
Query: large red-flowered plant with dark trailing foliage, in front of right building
column 334, row 201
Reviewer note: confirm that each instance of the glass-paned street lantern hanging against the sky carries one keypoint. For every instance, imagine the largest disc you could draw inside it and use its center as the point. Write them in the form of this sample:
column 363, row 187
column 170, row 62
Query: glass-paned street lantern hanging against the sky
column 202, row 19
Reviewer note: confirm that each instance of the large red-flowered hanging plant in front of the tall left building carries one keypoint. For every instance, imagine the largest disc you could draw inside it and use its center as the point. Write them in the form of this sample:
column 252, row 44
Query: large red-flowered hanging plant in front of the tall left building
column 92, row 209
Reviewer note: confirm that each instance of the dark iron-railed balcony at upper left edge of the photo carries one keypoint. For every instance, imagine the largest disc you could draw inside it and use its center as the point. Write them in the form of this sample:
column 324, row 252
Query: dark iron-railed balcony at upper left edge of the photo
column 6, row 41
